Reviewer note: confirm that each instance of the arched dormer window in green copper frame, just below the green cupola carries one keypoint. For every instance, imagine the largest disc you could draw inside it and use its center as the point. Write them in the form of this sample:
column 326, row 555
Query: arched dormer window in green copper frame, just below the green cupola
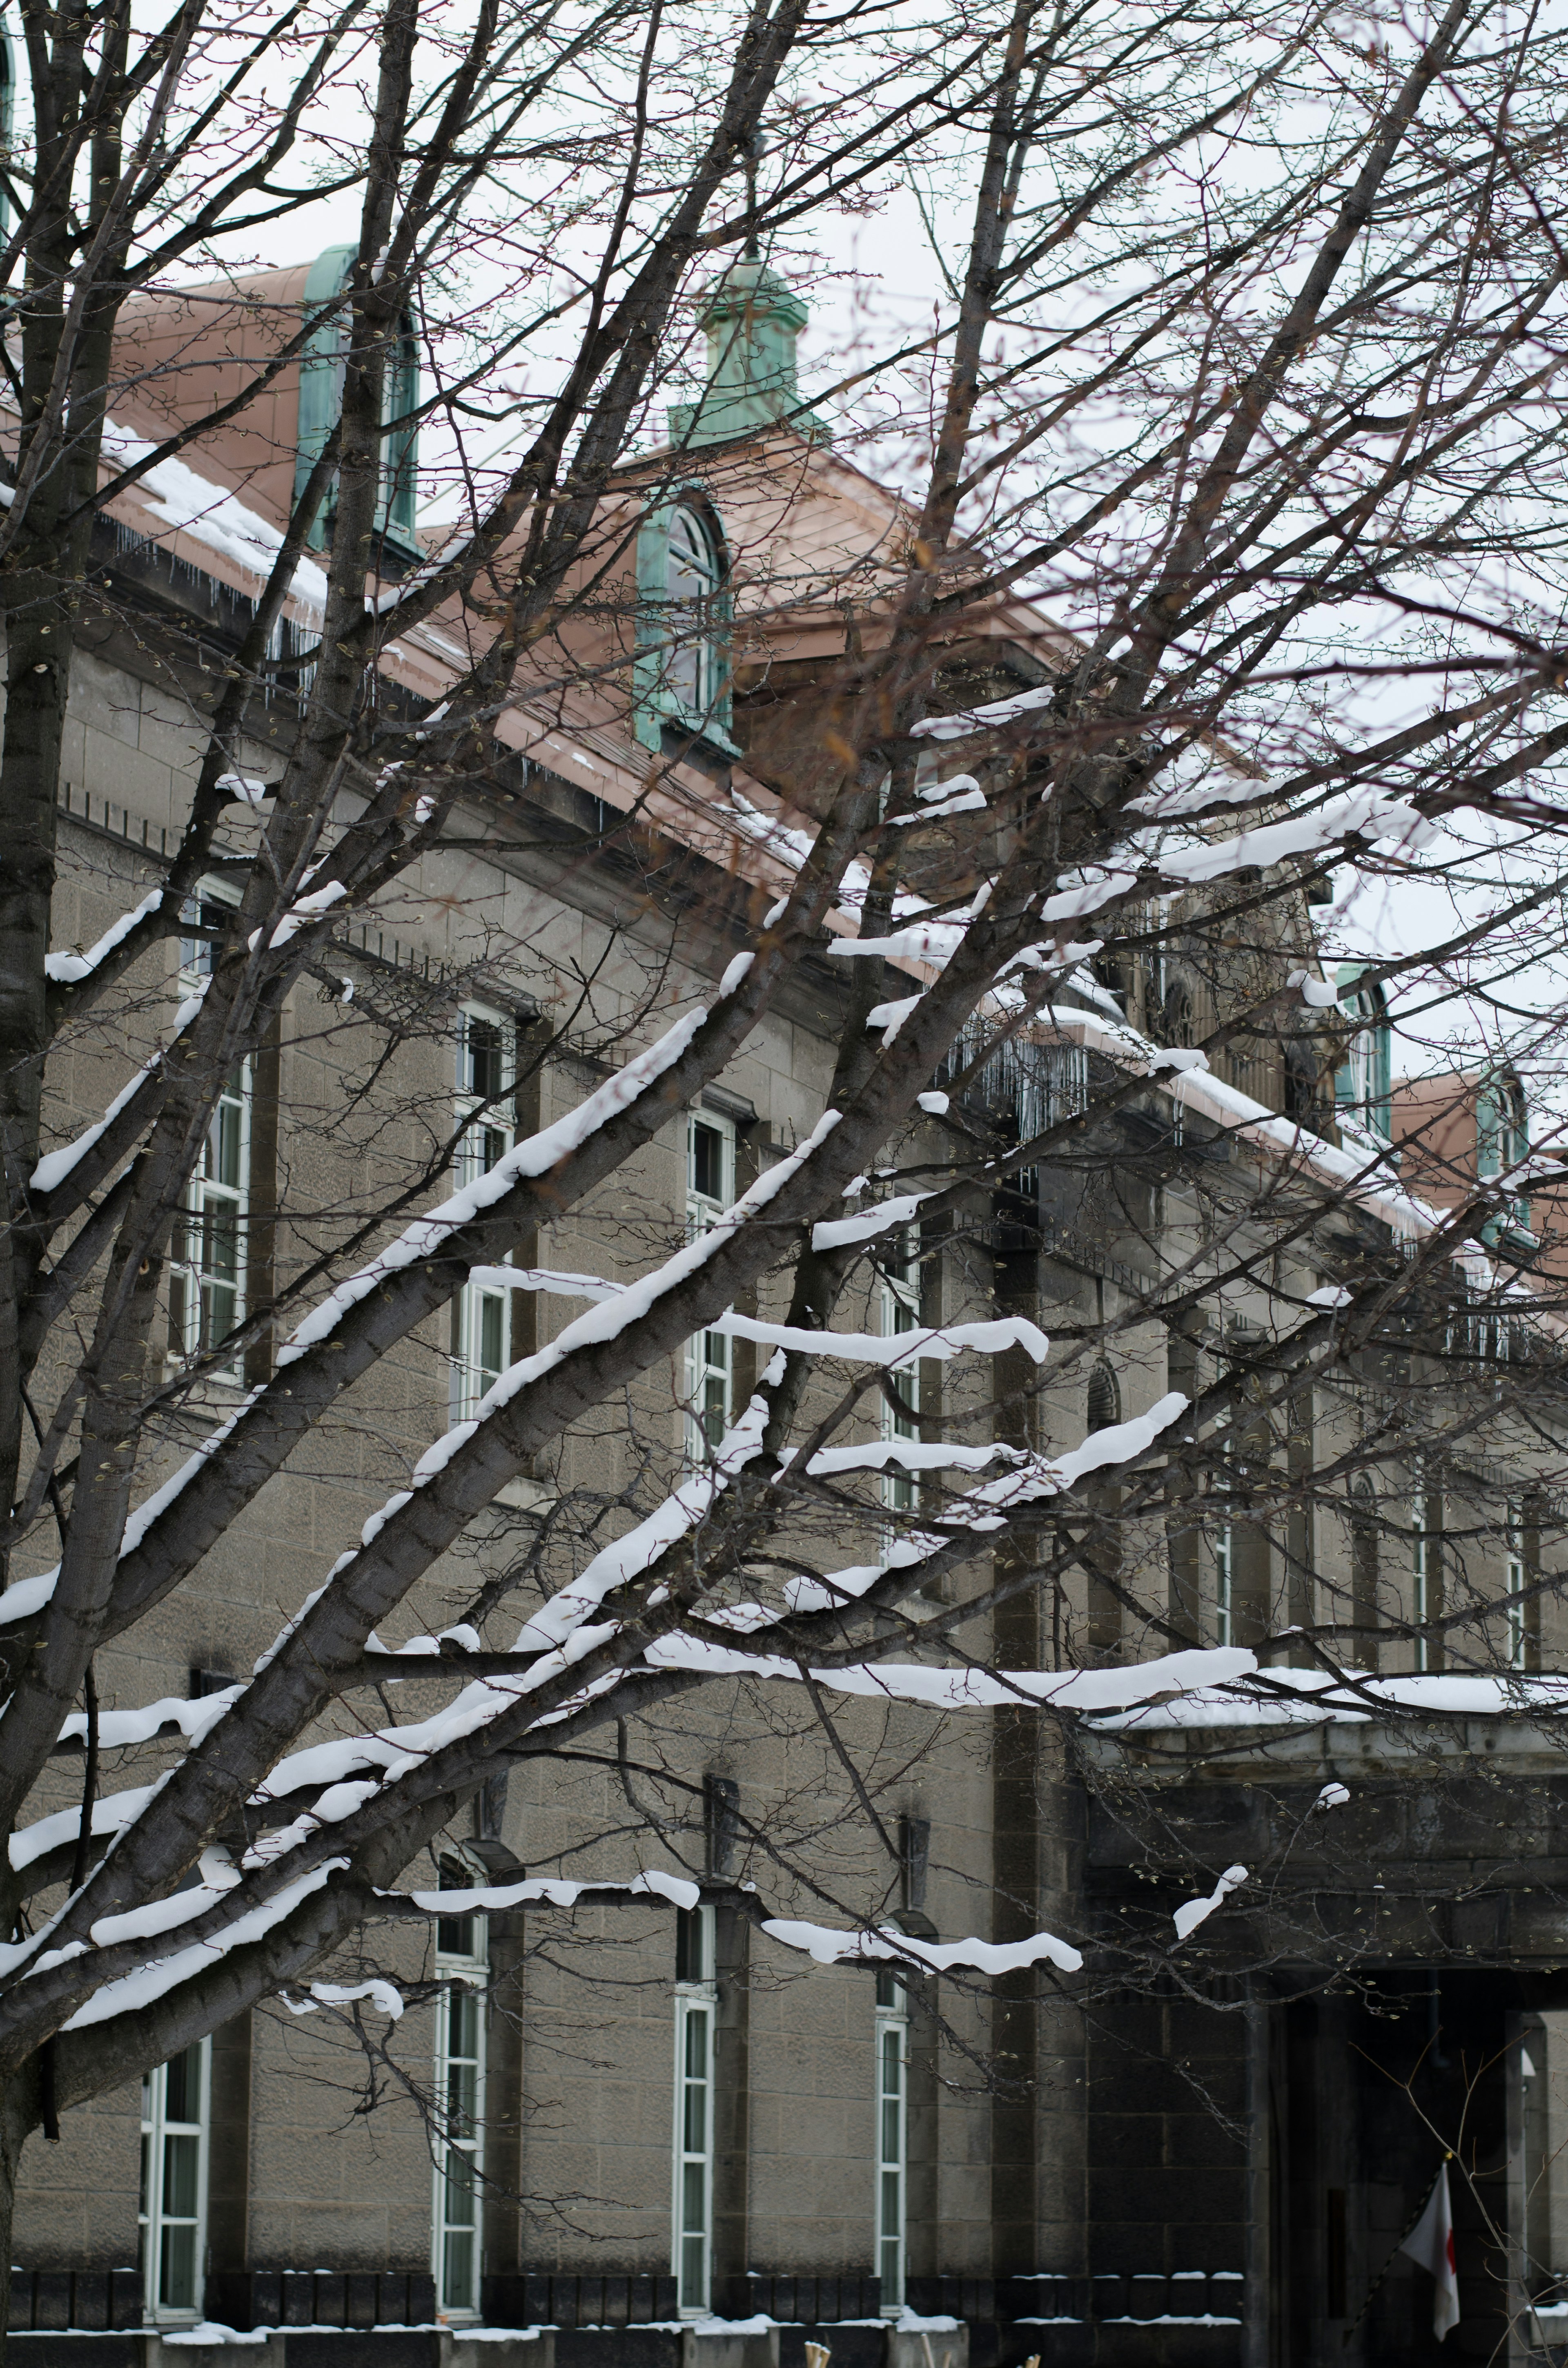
column 683, row 626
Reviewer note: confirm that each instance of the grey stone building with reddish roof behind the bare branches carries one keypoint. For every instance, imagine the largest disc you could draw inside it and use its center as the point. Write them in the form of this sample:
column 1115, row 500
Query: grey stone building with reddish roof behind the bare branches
column 679, row 2130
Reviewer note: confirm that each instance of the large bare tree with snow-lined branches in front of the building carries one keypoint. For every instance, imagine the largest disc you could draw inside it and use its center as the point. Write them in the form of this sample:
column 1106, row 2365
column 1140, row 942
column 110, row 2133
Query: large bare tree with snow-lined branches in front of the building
column 1247, row 380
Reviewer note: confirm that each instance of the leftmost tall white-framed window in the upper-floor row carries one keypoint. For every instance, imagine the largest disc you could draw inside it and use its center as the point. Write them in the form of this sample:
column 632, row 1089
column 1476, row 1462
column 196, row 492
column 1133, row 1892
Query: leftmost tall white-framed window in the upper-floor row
column 210, row 1237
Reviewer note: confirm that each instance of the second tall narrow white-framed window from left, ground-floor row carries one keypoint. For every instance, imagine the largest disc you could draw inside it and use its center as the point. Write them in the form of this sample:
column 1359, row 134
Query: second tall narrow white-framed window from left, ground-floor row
column 461, row 2102
